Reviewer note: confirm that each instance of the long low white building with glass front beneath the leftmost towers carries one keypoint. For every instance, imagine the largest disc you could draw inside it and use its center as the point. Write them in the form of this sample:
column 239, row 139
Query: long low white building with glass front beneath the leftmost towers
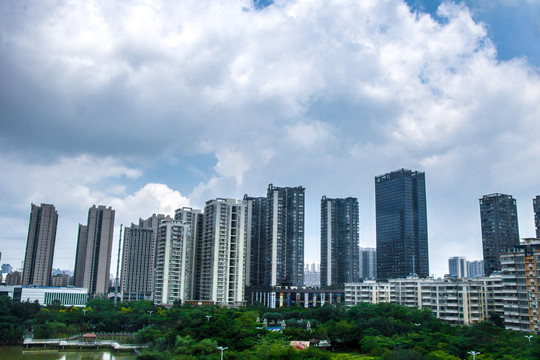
column 45, row 295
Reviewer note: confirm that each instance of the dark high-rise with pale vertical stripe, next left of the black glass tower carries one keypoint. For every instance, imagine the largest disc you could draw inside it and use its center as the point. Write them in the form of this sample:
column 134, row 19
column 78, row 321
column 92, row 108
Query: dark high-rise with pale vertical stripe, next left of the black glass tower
column 339, row 241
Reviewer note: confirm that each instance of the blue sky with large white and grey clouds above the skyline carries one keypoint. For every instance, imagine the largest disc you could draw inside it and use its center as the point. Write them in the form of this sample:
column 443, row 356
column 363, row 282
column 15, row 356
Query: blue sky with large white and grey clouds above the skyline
column 148, row 106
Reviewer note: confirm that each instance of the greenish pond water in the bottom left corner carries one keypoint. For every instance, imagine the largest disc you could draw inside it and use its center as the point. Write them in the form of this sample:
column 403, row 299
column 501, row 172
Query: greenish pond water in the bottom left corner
column 21, row 353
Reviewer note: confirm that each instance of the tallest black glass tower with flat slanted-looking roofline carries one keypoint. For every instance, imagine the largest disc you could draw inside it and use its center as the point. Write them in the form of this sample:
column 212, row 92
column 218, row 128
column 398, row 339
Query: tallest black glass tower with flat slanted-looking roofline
column 401, row 223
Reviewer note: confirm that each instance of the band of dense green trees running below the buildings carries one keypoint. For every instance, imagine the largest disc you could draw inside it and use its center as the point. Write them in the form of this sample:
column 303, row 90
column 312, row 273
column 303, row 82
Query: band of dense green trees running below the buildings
column 382, row 331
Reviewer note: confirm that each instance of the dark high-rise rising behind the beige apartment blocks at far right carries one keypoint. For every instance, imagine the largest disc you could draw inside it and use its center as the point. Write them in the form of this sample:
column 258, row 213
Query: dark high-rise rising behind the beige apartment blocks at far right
column 500, row 232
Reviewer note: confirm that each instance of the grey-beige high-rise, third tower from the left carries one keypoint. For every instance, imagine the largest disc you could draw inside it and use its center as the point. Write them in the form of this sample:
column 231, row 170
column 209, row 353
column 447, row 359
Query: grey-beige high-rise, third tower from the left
column 138, row 259
